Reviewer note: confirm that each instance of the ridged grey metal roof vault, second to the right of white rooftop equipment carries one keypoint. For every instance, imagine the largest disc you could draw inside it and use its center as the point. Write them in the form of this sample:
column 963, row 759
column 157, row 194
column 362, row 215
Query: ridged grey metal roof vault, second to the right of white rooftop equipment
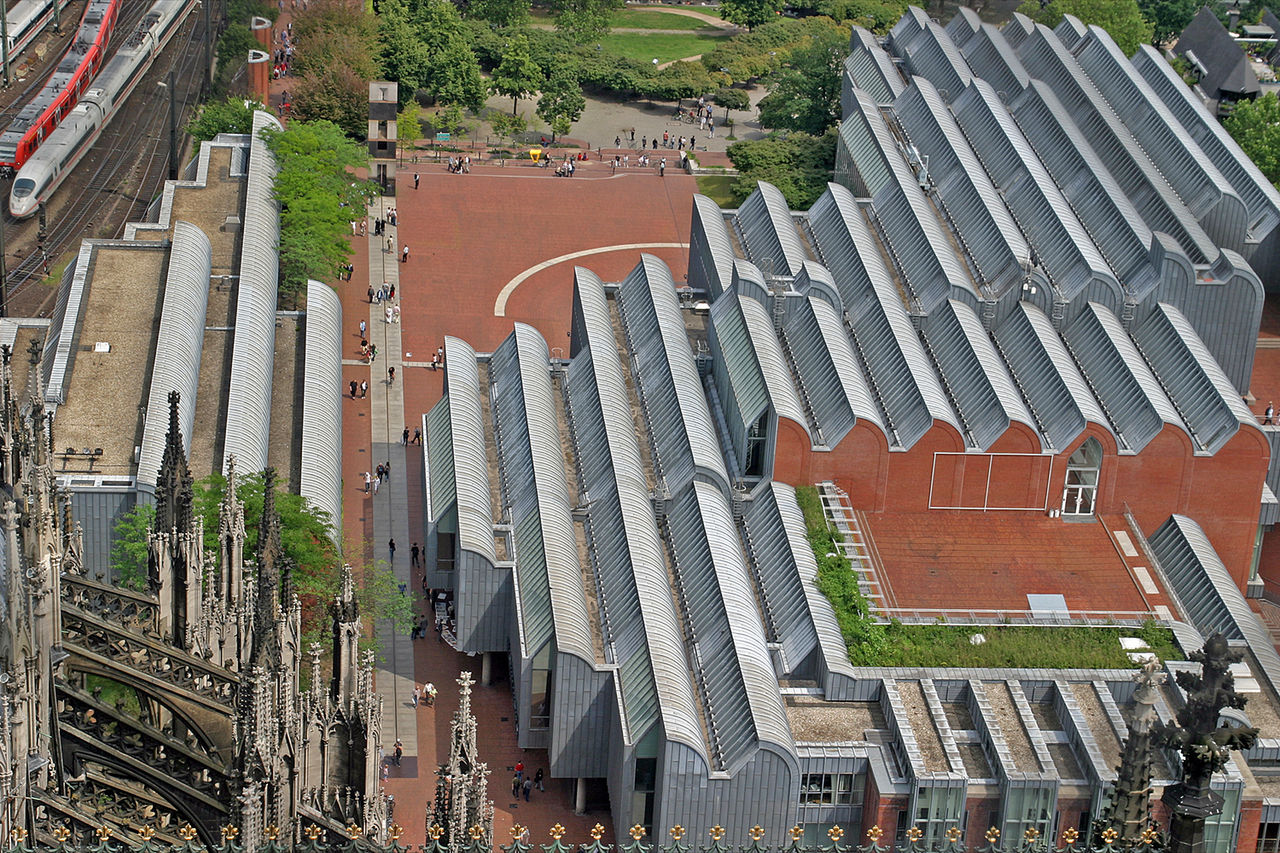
column 1063, row 244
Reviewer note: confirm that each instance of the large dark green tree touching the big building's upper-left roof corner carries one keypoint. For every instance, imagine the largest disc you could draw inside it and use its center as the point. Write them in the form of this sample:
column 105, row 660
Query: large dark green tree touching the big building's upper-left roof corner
column 804, row 95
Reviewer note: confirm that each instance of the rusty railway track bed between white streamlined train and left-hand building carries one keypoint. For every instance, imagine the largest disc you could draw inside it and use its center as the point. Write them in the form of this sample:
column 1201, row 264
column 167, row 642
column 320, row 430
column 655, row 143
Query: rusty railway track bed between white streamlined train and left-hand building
column 118, row 180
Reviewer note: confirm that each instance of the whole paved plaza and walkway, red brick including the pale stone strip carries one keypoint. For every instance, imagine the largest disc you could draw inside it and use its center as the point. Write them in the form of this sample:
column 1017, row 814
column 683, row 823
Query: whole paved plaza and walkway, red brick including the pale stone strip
column 487, row 250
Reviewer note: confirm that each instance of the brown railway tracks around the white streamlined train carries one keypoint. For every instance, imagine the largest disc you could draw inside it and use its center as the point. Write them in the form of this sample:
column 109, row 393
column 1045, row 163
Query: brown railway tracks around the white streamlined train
column 135, row 143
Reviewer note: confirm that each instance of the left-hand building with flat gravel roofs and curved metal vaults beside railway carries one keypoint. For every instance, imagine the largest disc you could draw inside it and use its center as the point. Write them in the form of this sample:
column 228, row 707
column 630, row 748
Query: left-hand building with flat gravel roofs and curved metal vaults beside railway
column 205, row 268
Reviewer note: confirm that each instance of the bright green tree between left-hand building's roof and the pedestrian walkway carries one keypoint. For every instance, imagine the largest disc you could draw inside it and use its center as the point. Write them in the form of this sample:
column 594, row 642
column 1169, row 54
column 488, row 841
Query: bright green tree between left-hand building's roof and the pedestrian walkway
column 318, row 191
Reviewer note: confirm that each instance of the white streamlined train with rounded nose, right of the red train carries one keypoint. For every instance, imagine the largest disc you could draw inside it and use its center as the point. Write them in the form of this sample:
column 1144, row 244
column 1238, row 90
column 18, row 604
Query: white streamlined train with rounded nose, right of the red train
column 65, row 148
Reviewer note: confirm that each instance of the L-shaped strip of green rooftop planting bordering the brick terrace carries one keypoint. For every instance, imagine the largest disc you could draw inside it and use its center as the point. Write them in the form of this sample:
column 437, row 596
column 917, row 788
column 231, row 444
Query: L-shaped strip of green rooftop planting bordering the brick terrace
column 874, row 644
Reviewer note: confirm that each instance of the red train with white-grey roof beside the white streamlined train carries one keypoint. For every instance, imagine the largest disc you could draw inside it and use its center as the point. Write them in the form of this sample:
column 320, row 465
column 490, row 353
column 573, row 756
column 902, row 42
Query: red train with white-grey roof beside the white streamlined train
column 63, row 89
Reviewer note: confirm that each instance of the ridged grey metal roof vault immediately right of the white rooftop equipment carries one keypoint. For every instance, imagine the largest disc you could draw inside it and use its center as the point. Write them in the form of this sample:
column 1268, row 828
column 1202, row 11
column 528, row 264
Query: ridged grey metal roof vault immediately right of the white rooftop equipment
column 994, row 240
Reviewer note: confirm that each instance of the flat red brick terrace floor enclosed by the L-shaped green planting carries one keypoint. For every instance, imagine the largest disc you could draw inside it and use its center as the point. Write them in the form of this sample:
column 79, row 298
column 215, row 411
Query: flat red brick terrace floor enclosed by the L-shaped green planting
column 993, row 560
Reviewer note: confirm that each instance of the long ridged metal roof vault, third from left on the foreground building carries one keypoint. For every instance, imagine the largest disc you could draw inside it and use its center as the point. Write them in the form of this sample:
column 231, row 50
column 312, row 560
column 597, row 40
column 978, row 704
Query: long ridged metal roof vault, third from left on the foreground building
column 642, row 631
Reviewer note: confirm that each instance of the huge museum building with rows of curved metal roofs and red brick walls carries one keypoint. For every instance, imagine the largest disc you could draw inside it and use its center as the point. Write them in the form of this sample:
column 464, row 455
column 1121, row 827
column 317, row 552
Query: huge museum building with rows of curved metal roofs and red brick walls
column 1009, row 344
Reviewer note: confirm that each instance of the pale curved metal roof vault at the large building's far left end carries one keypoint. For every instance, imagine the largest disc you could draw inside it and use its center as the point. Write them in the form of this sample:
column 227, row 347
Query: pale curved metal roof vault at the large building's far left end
column 470, row 458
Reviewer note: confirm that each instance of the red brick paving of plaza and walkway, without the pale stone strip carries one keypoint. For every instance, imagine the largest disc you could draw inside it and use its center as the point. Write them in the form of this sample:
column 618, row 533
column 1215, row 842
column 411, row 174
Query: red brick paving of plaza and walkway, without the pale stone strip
column 469, row 236
